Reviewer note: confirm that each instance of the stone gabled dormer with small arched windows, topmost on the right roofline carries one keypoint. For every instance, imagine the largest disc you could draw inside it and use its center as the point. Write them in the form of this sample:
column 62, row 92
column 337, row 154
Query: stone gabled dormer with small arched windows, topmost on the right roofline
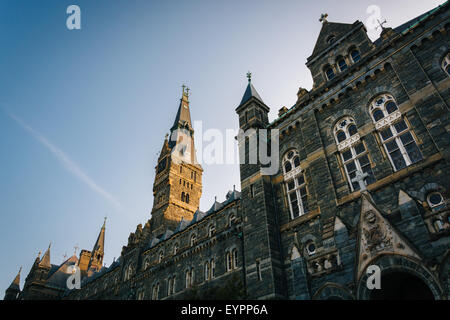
column 338, row 47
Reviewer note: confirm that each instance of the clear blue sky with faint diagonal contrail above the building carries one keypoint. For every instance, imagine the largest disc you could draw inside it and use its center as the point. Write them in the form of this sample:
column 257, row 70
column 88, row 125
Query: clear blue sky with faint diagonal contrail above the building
column 83, row 113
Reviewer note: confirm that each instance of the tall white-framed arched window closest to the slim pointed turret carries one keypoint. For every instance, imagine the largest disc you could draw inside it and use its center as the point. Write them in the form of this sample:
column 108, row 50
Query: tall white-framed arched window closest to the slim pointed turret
column 295, row 184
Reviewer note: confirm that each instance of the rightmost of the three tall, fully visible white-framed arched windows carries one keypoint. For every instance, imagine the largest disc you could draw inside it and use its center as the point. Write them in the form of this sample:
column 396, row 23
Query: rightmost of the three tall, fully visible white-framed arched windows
column 397, row 137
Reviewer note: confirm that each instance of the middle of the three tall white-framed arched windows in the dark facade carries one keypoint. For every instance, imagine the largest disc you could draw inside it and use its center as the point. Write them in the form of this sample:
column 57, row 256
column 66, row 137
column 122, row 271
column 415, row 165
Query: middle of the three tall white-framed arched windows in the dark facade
column 353, row 153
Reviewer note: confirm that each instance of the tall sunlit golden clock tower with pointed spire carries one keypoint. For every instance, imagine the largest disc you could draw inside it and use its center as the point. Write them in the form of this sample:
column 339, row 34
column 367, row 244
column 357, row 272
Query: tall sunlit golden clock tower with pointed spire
column 178, row 180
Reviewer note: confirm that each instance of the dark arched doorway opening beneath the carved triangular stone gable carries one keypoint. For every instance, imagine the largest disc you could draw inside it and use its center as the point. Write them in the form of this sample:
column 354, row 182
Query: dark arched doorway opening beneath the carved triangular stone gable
column 401, row 286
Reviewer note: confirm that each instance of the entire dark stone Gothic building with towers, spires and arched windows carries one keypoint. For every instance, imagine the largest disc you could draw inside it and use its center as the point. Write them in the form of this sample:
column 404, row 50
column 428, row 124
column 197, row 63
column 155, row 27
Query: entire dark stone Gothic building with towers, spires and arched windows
column 362, row 186
